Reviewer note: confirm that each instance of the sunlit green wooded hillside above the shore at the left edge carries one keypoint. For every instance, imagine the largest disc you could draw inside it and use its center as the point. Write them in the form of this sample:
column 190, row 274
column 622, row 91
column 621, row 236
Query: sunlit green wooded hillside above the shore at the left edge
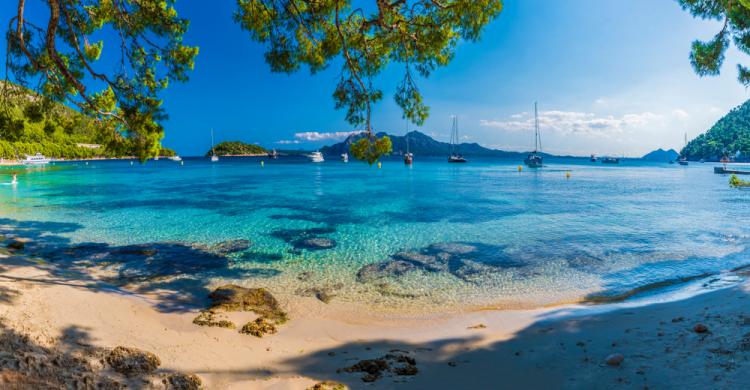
column 31, row 124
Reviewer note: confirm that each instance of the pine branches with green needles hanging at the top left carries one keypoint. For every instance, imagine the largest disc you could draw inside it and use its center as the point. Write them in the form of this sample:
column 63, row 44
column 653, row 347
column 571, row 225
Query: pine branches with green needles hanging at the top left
column 59, row 58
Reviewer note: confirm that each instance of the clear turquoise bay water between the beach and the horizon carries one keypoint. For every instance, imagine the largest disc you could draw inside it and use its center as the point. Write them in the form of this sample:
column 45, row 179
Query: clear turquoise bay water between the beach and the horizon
column 436, row 235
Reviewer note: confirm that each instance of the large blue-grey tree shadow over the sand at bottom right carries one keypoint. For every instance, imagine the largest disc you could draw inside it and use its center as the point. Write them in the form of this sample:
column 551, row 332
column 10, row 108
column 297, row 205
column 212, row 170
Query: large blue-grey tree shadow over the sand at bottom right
column 564, row 348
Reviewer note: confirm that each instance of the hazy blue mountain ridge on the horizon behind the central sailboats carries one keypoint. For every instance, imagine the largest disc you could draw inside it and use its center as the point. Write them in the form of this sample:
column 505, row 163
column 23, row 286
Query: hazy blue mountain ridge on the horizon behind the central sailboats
column 423, row 145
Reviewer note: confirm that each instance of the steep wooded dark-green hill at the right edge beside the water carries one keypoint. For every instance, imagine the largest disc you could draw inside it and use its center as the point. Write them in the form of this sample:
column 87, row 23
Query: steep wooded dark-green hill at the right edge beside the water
column 730, row 136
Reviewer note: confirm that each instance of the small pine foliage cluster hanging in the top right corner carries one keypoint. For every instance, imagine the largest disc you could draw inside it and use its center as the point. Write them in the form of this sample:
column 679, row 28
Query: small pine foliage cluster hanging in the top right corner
column 707, row 57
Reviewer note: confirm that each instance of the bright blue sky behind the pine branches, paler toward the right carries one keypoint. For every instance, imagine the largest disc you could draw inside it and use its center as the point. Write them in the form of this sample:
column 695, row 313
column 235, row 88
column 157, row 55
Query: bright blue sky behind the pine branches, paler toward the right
column 611, row 77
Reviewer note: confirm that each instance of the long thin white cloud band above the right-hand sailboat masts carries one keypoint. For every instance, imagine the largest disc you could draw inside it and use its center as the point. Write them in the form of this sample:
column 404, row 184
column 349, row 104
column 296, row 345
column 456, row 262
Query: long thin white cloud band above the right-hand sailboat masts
column 568, row 122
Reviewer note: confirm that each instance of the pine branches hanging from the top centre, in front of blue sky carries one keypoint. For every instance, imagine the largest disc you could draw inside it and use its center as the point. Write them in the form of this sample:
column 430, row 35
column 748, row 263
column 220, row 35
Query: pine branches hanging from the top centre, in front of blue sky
column 421, row 34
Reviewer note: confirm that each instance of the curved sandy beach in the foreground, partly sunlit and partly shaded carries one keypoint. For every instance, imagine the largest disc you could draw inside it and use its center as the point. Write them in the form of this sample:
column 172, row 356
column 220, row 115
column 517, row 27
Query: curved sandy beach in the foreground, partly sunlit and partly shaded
column 701, row 341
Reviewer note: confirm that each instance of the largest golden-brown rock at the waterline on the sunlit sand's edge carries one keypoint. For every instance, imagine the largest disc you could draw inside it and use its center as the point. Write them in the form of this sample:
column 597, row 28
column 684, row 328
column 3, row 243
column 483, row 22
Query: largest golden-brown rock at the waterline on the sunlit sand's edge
column 258, row 300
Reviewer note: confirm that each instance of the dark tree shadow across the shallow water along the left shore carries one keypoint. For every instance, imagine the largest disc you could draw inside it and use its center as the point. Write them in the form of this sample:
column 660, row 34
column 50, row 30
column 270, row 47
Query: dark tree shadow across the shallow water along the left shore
column 172, row 272
